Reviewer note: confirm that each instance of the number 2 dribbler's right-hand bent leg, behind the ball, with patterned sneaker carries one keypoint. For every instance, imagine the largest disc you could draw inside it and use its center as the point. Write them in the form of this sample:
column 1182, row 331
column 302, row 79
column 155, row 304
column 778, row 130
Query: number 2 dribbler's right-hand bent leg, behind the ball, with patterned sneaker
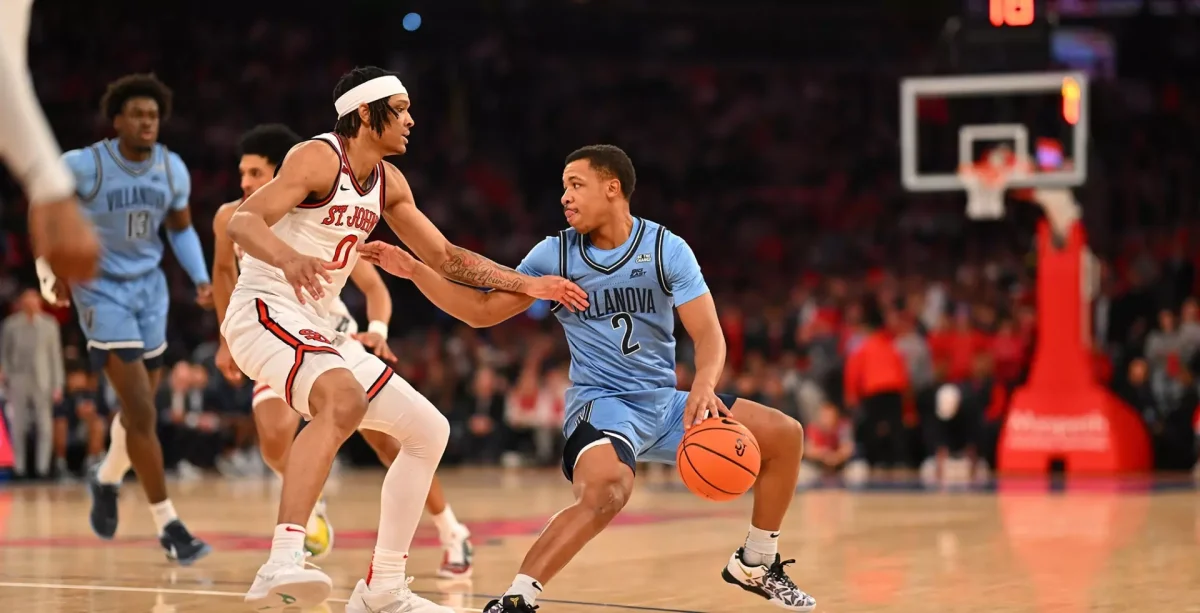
column 755, row 567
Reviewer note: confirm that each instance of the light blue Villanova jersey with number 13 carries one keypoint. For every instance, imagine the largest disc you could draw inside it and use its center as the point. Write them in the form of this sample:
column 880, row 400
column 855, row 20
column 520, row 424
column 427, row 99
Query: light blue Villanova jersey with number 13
column 128, row 202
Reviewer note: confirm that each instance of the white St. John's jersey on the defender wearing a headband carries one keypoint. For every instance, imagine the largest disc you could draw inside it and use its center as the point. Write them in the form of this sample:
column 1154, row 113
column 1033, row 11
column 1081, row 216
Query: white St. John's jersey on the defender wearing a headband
column 329, row 229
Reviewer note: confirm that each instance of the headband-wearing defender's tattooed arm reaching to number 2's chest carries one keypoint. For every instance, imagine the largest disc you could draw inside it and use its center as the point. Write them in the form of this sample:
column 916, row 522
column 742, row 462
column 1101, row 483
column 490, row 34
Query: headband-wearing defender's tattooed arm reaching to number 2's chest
column 459, row 265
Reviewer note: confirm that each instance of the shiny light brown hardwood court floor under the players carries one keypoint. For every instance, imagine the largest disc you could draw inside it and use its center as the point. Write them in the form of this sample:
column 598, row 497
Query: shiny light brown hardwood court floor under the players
column 1017, row 550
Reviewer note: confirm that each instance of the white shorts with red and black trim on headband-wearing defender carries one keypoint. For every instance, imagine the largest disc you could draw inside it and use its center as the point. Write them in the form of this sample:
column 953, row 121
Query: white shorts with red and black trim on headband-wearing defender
column 284, row 348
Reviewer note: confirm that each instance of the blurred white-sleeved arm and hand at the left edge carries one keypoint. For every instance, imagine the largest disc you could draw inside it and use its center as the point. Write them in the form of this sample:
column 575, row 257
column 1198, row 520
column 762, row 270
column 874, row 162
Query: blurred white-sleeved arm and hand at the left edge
column 57, row 227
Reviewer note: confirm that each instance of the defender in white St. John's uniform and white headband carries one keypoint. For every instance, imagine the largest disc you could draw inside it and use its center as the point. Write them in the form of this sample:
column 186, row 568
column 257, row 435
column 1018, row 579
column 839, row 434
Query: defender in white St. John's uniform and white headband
column 301, row 235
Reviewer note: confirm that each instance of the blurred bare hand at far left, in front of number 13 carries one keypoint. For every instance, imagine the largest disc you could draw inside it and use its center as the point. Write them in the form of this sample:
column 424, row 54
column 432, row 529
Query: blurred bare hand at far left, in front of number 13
column 65, row 238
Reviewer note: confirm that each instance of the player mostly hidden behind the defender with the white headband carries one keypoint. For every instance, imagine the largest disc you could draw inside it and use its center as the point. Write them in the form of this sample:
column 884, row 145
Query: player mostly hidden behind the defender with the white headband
column 262, row 151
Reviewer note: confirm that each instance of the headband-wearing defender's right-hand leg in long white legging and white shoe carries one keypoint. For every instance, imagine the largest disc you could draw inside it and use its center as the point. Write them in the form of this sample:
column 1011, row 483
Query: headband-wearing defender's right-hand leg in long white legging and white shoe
column 422, row 432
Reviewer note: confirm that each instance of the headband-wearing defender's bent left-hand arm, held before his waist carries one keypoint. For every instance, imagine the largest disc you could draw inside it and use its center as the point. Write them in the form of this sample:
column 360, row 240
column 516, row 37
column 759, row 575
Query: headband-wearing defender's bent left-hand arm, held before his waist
column 309, row 169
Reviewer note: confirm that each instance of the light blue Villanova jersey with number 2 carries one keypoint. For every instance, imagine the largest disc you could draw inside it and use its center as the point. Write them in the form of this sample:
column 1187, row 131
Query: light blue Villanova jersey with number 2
column 625, row 342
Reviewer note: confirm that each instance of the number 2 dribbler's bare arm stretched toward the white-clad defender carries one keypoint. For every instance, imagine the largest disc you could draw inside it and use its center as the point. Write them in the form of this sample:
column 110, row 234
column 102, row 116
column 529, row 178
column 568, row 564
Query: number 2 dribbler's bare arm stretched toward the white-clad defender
column 475, row 308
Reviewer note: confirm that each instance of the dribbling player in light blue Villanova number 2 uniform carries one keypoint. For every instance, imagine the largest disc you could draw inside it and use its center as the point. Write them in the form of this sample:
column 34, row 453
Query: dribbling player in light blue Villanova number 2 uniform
column 623, row 406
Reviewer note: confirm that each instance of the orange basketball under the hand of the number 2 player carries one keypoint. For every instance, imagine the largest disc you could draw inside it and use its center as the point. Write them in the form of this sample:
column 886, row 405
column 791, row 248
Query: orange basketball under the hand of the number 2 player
column 719, row 460
